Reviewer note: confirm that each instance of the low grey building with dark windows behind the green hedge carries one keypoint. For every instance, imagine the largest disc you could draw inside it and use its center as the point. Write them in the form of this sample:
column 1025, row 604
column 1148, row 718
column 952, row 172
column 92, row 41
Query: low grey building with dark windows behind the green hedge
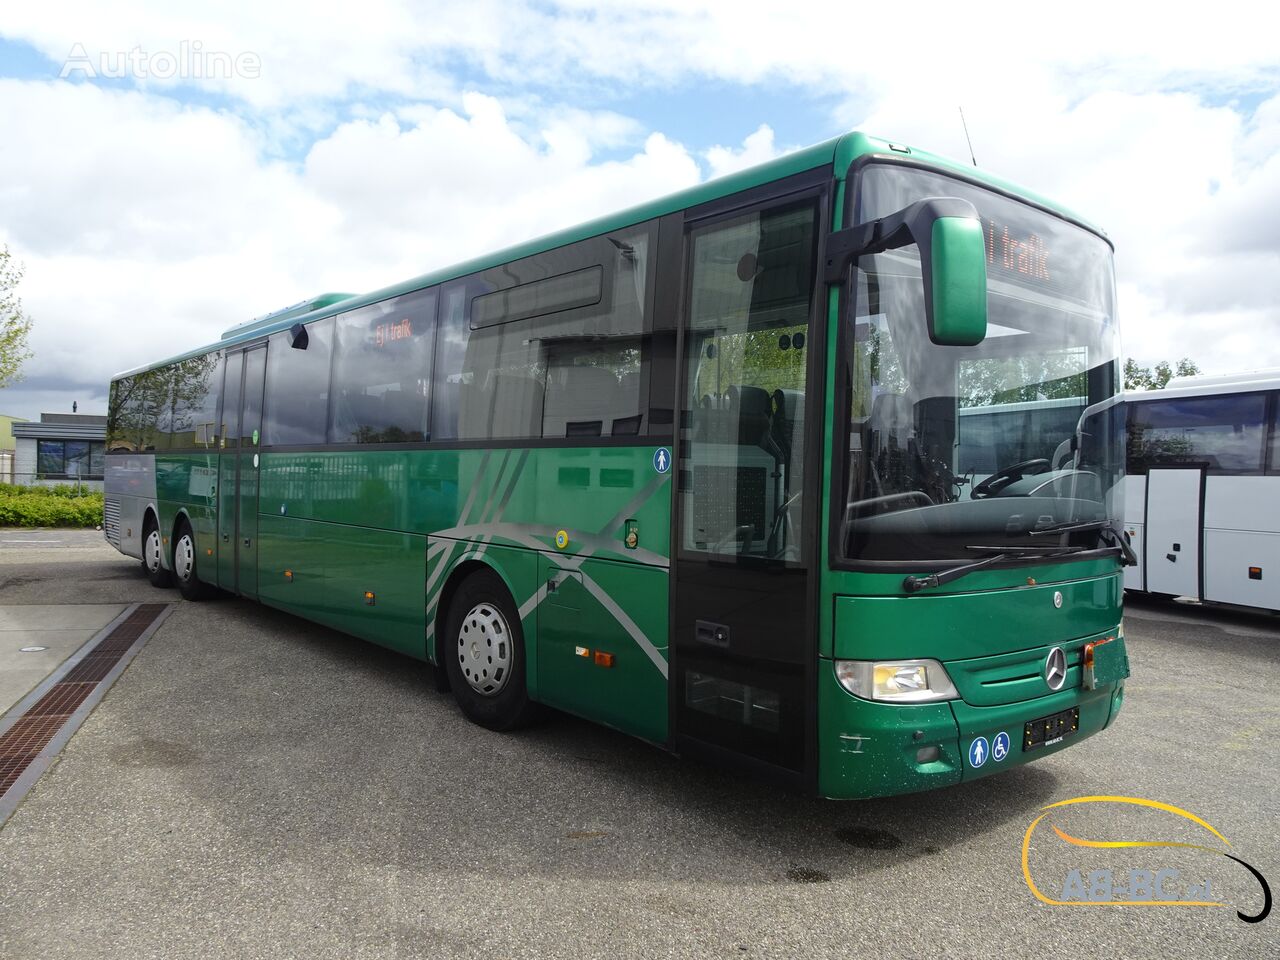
column 62, row 449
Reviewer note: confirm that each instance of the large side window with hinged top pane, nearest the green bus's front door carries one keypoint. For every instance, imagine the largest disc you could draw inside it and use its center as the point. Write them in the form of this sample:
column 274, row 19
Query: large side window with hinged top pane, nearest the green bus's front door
column 555, row 346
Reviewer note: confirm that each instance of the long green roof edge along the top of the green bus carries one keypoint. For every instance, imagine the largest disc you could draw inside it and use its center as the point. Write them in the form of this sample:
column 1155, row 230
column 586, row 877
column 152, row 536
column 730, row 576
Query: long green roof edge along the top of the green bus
column 839, row 153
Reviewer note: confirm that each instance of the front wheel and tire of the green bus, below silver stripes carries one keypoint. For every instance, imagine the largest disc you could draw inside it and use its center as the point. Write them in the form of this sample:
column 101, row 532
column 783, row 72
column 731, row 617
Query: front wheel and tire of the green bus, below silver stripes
column 484, row 655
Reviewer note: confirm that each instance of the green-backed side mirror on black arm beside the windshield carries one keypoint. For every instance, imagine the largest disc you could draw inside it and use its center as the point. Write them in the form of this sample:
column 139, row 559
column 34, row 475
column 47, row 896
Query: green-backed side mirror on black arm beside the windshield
column 953, row 263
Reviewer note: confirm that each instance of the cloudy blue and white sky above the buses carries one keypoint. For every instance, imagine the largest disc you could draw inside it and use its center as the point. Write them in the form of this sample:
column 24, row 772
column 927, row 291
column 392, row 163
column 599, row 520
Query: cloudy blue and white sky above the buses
column 168, row 171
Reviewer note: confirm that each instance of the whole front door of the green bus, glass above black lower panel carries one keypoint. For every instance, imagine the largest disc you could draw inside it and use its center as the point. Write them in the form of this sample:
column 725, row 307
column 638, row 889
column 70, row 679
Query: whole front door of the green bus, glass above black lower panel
column 746, row 531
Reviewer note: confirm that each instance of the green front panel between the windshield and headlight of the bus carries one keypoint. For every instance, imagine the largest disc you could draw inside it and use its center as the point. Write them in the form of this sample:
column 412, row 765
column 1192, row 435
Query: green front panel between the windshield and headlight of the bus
column 975, row 624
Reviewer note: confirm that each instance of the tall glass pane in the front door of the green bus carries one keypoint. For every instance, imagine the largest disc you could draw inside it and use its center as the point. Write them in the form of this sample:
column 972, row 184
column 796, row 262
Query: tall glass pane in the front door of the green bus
column 744, row 405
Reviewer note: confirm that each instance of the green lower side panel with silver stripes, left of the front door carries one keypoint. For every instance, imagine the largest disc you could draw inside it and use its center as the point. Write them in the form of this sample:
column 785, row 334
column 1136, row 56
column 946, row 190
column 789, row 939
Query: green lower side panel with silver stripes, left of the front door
column 335, row 527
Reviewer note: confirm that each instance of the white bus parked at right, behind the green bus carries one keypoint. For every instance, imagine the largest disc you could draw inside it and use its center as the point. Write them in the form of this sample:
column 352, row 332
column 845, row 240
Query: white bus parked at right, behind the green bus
column 1203, row 493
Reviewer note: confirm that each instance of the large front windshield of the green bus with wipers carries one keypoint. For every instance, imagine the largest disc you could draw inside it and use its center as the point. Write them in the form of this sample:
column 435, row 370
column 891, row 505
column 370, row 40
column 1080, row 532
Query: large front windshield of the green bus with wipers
column 957, row 451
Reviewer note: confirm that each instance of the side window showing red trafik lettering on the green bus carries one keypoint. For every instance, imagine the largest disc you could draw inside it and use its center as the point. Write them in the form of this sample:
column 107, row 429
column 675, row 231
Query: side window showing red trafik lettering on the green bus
column 382, row 372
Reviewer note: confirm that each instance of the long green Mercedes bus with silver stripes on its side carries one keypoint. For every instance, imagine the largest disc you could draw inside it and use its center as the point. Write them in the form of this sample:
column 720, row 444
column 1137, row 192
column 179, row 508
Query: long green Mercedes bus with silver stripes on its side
column 692, row 472
